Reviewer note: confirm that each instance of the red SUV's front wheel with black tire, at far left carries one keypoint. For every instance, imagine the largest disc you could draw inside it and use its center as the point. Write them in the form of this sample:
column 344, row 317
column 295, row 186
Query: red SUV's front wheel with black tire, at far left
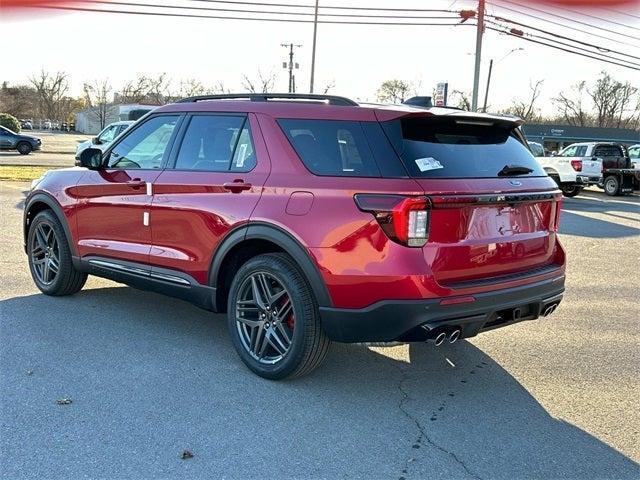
column 66, row 280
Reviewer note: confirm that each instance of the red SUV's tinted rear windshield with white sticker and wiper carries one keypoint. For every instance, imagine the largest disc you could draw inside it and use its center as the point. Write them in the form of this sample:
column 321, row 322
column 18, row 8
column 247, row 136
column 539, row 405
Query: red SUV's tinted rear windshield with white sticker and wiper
column 454, row 148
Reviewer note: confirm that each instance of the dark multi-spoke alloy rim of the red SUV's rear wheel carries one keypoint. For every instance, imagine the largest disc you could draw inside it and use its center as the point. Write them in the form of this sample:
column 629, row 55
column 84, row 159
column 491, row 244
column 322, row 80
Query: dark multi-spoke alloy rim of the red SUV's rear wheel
column 264, row 318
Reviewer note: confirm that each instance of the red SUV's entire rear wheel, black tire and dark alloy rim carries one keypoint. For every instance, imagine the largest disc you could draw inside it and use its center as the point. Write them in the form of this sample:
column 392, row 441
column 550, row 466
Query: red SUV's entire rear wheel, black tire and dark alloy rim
column 273, row 318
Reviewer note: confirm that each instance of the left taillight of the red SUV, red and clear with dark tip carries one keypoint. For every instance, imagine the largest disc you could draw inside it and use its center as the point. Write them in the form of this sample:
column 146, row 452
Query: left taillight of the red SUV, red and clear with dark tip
column 403, row 219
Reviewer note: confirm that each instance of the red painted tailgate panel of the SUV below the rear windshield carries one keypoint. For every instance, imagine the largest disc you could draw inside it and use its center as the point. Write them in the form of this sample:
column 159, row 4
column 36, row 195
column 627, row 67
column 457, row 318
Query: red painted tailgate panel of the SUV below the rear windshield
column 491, row 235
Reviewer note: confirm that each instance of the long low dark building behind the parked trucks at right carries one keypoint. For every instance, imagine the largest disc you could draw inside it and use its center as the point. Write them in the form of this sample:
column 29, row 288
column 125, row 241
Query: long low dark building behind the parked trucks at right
column 556, row 137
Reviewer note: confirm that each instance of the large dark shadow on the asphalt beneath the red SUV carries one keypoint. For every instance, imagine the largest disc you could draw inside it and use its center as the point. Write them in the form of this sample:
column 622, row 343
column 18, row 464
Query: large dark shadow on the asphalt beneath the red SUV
column 149, row 376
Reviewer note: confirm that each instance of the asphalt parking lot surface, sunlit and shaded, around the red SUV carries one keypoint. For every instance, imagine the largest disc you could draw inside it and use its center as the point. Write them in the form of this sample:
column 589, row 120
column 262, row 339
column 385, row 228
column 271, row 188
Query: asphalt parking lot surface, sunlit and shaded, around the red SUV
column 150, row 377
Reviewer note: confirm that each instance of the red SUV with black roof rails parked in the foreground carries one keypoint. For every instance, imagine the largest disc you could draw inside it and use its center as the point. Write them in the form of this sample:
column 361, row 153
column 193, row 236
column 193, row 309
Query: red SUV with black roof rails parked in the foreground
column 308, row 219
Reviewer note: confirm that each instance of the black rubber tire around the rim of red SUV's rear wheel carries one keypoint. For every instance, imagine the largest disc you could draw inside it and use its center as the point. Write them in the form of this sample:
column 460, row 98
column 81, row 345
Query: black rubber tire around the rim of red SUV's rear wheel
column 308, row 343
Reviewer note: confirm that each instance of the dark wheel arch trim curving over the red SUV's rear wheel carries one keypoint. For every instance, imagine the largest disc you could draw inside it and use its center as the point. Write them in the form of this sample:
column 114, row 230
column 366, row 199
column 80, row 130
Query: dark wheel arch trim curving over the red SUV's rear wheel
column 286, row 241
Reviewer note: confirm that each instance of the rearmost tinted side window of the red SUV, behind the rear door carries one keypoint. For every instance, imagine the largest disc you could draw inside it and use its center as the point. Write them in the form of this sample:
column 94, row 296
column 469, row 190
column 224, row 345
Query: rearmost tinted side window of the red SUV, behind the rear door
column 336, row 147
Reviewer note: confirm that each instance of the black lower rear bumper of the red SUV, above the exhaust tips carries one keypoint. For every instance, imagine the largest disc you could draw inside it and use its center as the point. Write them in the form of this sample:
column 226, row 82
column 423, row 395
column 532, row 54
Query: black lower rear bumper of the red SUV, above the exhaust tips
column 410, row 320
